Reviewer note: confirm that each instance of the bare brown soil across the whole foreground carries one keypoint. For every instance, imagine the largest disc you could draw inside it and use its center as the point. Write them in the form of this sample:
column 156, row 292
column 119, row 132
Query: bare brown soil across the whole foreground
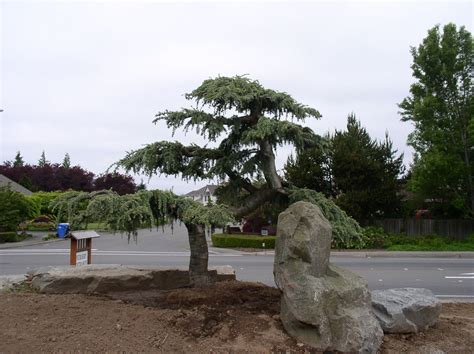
column 227, row 317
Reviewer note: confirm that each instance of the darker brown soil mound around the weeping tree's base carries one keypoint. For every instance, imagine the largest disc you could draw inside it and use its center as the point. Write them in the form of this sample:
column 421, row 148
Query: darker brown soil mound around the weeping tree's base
column 228, row 309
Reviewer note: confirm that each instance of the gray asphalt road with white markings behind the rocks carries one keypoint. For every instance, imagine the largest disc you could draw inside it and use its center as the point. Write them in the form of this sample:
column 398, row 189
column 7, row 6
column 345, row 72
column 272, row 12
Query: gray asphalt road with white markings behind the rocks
column 446, row 277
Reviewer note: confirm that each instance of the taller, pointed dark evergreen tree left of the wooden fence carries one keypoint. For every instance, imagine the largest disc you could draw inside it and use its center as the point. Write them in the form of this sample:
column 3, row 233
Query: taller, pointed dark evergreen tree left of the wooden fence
column 365, row 173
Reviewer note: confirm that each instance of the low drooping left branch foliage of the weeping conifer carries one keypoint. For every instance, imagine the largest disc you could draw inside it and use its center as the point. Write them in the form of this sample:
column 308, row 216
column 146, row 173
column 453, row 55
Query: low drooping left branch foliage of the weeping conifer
column 130, row 212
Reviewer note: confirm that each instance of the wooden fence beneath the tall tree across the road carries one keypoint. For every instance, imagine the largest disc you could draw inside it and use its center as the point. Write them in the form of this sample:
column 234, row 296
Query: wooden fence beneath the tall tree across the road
column 457, row 229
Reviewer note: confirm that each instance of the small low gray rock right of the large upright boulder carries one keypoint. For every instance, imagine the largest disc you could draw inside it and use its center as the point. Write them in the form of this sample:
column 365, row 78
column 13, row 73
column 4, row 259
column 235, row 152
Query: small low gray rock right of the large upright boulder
column 405, row 310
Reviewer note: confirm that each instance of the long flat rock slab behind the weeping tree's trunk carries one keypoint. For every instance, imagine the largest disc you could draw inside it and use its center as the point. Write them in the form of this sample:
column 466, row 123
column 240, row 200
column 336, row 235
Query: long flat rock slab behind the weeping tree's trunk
column 110, row 278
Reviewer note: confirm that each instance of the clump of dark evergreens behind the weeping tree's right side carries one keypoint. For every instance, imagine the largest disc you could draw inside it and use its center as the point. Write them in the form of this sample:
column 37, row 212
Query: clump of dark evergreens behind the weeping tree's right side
column 361, row 173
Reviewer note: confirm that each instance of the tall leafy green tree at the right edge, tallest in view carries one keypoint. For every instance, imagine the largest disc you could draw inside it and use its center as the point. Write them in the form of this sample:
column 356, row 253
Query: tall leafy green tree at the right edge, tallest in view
column 441, row 108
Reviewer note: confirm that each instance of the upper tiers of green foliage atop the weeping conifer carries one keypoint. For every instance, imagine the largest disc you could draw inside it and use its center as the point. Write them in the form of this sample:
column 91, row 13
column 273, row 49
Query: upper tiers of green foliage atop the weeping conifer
column 238, row 114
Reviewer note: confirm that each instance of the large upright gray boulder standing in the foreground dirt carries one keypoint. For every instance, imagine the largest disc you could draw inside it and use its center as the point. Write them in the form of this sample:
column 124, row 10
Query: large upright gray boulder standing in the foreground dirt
column 322, row 305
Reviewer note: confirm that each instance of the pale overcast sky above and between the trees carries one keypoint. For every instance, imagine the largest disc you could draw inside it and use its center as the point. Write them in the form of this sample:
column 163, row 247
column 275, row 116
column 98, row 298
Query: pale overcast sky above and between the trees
column 88, row 77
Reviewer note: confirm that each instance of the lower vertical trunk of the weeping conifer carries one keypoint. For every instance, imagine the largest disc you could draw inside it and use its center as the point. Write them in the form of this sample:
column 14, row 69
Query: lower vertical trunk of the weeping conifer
column 198, row 261
